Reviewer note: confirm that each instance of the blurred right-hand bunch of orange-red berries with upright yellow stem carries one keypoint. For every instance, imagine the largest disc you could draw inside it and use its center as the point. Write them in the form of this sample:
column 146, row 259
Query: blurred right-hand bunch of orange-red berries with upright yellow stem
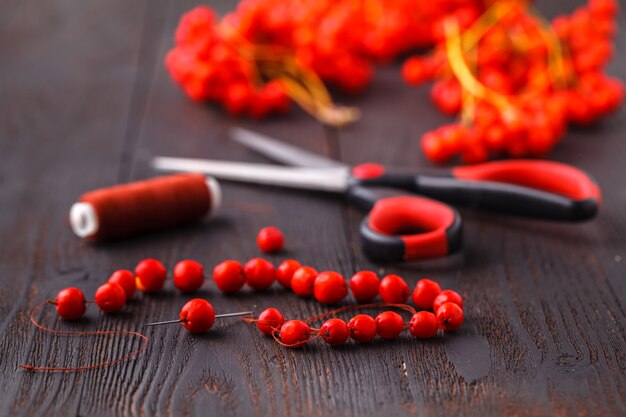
column 517, row 80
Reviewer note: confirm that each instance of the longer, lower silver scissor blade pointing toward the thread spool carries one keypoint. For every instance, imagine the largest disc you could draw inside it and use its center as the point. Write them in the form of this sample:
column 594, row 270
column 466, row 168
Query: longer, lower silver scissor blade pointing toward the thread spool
column 333, row 179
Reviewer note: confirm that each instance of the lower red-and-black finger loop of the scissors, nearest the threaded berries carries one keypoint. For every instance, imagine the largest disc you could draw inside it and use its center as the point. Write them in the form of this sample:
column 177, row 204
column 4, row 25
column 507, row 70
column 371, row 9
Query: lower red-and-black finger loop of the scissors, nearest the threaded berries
column 408, row 228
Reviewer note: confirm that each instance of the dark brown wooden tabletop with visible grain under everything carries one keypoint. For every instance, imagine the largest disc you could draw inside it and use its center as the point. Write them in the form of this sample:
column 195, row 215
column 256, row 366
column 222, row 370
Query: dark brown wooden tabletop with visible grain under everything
column 85, row 102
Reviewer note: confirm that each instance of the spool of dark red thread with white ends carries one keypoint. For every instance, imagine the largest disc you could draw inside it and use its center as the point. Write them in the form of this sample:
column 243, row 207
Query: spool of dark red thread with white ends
column 144, row 206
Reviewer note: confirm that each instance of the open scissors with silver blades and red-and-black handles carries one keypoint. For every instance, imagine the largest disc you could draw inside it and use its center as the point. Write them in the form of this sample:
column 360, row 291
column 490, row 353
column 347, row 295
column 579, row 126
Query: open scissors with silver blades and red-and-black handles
column 419, row 225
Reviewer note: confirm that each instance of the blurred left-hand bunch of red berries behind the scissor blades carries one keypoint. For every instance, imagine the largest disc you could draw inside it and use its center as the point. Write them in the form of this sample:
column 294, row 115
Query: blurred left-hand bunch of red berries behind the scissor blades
column 255, row 57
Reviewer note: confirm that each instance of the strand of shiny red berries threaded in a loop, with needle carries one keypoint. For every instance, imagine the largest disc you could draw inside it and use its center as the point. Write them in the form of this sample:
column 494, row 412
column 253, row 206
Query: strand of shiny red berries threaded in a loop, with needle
column 327, row 287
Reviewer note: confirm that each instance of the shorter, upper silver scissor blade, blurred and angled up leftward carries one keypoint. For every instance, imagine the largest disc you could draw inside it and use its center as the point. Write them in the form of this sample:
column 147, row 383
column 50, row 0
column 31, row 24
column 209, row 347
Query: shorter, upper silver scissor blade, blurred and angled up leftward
column 280, row 151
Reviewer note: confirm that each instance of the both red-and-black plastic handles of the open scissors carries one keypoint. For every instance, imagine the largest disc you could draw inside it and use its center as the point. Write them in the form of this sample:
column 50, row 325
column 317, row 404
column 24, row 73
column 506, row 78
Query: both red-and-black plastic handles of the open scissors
column 412, row 227
